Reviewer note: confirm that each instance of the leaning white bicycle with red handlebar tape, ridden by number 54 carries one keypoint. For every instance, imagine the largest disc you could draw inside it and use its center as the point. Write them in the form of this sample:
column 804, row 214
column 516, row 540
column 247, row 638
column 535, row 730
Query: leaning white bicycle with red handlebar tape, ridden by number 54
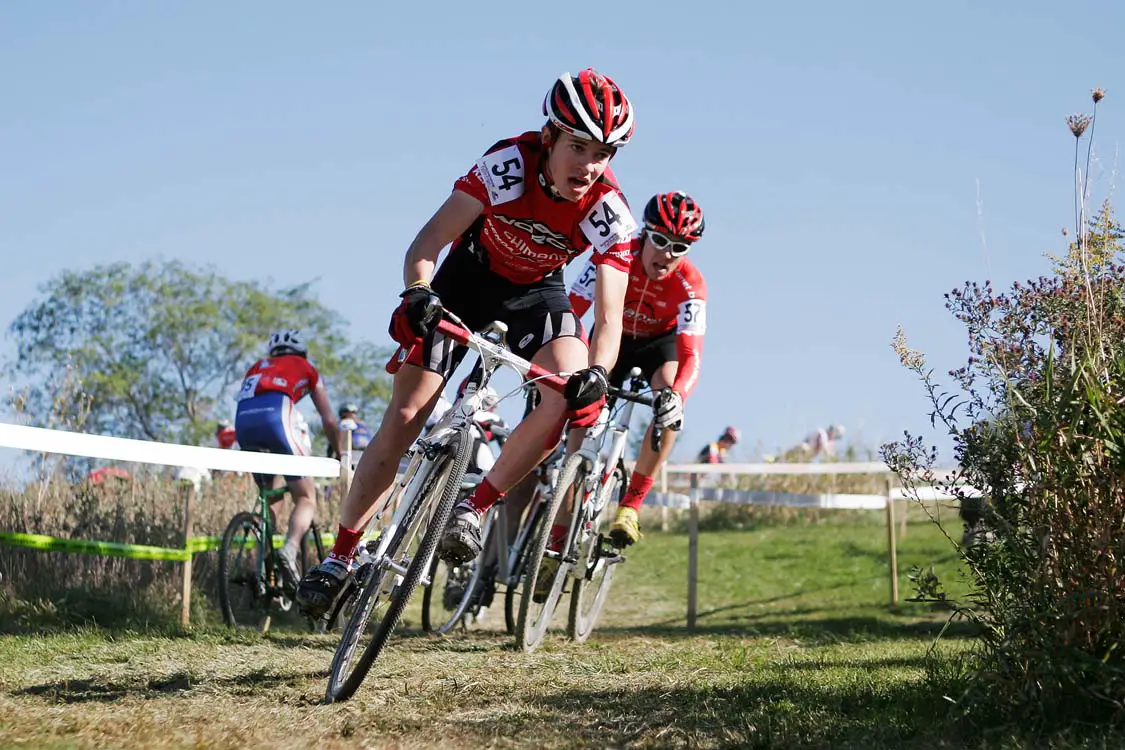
column 394, row 564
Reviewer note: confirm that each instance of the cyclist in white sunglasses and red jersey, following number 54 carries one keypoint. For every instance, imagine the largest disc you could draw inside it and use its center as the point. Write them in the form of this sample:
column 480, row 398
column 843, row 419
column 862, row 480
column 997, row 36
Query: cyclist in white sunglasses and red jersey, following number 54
column 665, row 320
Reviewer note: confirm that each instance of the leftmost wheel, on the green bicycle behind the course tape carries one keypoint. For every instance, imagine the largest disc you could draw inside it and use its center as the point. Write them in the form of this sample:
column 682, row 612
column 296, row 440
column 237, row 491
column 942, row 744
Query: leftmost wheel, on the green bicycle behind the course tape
column 244, row 573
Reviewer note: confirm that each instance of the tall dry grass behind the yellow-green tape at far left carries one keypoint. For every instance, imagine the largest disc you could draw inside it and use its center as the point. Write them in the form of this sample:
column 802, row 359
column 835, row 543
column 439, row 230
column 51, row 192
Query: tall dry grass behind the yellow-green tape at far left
column 47, row 589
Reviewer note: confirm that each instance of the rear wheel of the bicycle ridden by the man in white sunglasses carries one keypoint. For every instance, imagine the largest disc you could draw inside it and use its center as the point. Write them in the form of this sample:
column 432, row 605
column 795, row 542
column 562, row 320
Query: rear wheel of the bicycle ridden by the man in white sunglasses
column 595, row 572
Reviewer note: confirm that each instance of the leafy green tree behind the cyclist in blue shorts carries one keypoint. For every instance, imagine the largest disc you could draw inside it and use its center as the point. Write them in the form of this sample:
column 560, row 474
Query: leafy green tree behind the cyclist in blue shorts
column 159, row 348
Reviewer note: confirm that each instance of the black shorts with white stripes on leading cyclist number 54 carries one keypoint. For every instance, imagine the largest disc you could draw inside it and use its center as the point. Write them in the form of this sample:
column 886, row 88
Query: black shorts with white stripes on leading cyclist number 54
column 536, row 314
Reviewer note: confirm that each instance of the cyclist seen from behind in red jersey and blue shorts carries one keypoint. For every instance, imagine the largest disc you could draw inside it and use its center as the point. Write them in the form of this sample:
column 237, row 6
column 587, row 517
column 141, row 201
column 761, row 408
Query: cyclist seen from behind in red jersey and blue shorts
column 268, row 421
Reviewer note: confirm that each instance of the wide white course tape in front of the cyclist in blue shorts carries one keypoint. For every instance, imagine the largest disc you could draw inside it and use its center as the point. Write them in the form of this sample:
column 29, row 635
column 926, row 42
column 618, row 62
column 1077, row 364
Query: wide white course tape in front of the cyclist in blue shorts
column 122, row 449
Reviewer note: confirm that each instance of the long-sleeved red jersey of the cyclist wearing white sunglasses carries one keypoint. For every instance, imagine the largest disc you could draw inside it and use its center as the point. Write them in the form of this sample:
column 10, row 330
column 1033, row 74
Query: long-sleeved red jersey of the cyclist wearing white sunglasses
column 654, row 309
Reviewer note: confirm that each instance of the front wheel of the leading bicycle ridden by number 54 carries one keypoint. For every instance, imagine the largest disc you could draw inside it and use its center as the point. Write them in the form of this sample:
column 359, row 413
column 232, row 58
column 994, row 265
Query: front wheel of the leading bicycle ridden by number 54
column 383, row 585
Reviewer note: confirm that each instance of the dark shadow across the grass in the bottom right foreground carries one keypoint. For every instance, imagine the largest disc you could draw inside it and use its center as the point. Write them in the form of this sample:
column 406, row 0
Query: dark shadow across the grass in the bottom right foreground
column 821, row 713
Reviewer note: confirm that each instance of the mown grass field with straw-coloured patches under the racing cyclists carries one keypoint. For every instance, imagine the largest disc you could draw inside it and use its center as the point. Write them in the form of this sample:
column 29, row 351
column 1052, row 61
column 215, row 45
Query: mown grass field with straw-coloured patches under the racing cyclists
column 796, row 647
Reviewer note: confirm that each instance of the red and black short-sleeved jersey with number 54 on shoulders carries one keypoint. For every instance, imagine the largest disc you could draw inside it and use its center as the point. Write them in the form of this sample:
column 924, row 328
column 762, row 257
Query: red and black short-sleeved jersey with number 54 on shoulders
column 527, row 233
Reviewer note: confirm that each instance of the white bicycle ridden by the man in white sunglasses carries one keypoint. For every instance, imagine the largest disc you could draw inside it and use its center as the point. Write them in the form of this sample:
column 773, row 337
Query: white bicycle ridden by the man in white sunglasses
column 591, row 477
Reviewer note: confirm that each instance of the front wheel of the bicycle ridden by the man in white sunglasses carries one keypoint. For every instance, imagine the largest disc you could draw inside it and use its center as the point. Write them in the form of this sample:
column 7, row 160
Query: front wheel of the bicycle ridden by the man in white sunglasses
column 536, row 617
